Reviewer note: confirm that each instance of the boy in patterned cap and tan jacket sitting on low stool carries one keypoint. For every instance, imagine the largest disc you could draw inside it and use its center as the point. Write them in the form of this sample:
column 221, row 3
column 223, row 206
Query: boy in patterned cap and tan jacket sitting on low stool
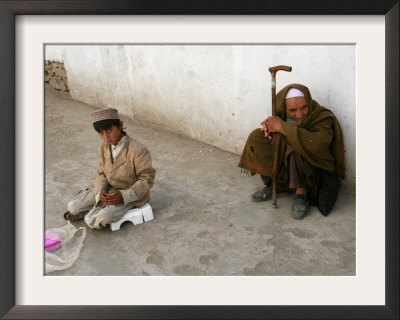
column 124, row 177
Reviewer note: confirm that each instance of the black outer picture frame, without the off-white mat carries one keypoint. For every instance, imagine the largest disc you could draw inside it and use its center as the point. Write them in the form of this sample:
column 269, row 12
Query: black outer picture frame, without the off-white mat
column 8, row 11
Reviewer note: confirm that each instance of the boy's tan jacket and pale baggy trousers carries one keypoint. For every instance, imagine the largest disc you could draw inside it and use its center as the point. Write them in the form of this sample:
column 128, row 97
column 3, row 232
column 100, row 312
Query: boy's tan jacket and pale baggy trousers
column 131, row 173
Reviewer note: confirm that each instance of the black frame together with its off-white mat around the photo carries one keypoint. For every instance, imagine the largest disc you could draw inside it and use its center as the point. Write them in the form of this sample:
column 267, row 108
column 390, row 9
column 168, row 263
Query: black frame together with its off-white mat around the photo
column 372, row 26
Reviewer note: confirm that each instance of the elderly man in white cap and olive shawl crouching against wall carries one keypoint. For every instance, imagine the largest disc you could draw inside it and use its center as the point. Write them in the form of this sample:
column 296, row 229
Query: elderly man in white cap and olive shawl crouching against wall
column 309, row 152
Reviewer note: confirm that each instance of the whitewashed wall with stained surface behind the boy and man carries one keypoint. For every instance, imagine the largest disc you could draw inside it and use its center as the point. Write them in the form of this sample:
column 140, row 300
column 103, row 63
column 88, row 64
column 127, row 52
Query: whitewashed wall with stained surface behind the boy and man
column 213, row 93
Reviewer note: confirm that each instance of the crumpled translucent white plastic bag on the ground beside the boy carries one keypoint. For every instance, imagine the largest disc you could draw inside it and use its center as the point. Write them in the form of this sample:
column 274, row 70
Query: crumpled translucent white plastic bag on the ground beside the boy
column 72, row 242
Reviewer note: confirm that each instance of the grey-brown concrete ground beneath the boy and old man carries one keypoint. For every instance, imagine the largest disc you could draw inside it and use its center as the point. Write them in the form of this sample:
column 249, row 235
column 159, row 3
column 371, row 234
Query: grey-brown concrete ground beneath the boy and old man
column 204, row 222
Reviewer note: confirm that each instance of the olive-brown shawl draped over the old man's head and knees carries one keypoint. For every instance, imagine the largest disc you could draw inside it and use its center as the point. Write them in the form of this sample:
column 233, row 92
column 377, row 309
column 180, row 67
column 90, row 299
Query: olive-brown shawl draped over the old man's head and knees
column 318, row 138
